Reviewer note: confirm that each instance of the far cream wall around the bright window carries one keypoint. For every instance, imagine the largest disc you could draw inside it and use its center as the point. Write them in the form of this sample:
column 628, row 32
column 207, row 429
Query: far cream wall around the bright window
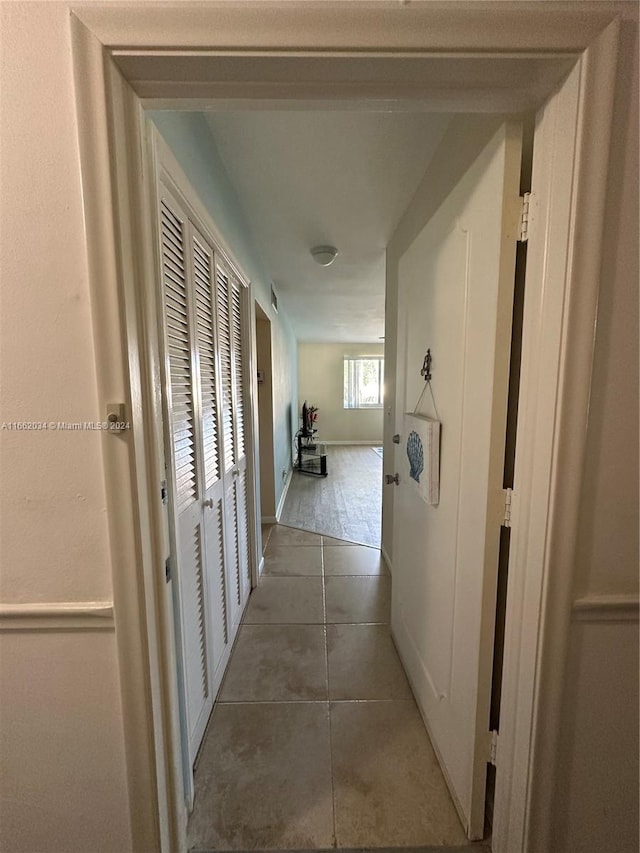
column 321, row 383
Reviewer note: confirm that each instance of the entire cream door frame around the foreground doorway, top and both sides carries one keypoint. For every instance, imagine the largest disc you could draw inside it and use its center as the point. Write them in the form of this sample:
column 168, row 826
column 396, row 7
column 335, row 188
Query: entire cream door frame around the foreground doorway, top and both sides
column 556, row 365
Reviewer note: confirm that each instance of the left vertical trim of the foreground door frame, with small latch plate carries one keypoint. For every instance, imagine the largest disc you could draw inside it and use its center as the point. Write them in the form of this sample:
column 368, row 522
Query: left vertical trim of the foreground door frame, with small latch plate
column 132, row 549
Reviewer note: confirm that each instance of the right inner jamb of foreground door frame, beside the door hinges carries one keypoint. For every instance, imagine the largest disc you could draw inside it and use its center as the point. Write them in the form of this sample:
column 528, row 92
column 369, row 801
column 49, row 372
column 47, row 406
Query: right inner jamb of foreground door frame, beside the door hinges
column 546, row 282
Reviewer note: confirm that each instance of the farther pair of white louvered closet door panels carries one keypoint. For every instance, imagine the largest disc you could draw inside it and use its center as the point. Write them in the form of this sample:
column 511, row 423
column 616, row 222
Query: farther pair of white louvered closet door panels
column 231, row 337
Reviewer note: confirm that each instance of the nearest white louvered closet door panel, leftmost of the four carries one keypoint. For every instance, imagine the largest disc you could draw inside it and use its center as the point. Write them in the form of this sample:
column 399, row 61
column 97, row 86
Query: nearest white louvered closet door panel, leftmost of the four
column 190, row 542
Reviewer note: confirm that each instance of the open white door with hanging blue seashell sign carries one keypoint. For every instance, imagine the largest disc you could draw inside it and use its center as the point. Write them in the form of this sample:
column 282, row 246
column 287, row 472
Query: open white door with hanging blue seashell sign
column 455, row 298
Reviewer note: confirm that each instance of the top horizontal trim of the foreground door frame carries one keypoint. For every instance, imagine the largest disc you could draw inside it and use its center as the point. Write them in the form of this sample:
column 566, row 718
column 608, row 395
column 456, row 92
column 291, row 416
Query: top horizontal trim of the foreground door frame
column 343, row 27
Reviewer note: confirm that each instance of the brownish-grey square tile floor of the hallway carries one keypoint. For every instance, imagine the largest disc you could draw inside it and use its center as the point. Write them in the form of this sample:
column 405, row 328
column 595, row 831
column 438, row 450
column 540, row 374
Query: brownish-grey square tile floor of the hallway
column 316, row 741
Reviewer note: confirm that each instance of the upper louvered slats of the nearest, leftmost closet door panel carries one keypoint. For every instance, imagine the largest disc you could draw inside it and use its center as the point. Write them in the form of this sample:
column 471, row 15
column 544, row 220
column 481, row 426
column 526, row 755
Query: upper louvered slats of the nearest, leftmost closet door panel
column 179, row 354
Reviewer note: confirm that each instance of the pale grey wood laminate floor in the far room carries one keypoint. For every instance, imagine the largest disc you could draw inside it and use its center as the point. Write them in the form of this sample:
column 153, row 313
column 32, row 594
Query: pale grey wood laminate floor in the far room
column 347, row 504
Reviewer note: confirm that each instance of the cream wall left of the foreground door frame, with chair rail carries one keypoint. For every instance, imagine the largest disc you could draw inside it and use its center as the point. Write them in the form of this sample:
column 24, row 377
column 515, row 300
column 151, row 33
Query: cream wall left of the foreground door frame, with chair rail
column 63, row 782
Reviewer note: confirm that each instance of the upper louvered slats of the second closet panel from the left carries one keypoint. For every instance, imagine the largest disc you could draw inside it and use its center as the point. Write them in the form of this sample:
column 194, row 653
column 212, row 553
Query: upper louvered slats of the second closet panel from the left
column 204, row 307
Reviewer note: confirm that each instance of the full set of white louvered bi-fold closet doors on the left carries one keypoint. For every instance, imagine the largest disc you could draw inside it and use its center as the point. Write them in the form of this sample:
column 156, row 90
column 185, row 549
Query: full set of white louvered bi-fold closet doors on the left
column 205, row 408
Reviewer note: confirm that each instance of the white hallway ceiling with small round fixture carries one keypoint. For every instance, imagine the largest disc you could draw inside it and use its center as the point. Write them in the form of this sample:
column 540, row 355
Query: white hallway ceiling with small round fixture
column 337, row 178
